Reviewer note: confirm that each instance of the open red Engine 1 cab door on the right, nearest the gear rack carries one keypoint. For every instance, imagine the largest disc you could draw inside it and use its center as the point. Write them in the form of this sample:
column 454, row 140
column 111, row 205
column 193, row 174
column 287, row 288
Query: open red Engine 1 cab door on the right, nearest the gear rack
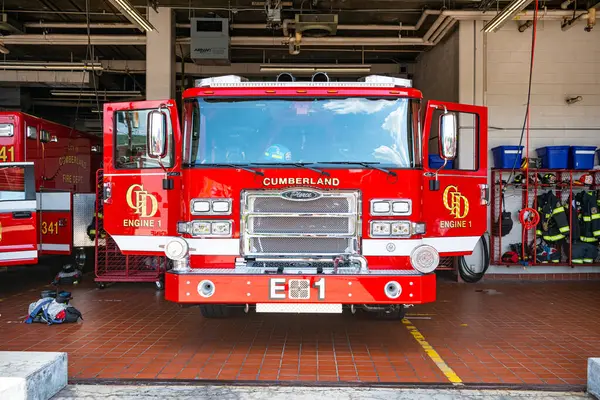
column 455, row 197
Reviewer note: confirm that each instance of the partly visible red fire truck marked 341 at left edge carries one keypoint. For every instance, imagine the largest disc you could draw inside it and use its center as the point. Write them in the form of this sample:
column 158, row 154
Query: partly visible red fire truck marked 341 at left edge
column 47, row 189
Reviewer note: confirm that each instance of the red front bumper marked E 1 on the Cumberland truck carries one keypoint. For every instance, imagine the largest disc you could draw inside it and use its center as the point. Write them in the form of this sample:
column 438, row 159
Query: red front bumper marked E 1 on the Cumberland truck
column 231, row 287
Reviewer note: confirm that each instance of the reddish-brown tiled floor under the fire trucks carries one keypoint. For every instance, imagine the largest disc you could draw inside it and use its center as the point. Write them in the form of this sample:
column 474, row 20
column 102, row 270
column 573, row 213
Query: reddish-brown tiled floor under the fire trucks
column 491, row 333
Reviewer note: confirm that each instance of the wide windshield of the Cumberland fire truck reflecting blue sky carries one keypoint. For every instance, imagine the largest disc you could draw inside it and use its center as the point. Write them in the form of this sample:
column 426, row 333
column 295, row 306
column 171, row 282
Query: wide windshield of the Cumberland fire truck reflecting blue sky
column 302, row 130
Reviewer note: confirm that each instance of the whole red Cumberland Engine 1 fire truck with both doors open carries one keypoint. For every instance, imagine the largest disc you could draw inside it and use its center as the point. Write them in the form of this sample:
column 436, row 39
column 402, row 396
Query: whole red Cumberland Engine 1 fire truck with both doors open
column 293, row 196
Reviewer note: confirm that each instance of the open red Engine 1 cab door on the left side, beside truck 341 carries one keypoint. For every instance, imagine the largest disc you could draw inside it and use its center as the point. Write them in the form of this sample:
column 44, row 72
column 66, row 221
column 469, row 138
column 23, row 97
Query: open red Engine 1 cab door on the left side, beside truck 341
column 138, row 185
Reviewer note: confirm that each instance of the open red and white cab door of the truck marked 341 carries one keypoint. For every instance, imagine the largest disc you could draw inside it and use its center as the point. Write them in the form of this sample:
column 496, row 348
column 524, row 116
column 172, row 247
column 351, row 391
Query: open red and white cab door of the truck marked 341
column 18, row 216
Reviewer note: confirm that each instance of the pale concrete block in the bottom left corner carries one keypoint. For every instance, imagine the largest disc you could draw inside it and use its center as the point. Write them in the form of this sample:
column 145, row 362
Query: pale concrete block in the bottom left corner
column 32, row 375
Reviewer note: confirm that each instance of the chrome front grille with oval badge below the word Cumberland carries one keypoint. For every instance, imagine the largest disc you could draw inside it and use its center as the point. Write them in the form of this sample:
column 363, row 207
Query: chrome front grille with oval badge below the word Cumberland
column 274, row 225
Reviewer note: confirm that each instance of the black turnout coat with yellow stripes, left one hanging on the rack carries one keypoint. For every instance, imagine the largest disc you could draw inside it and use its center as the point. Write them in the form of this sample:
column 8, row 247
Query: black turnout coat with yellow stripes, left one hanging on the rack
column 554, row 222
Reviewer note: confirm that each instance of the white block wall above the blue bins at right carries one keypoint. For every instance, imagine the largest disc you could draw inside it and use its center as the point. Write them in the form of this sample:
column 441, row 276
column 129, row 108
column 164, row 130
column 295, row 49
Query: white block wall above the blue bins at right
column 566, row 64
